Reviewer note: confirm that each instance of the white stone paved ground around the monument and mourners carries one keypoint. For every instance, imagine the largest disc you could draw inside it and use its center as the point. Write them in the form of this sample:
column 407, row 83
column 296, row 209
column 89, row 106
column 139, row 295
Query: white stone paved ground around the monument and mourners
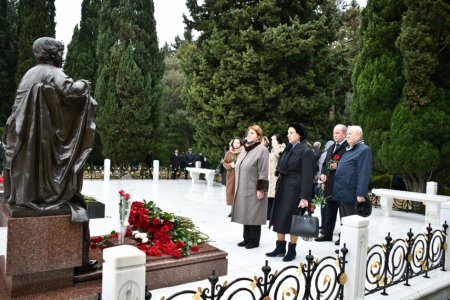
column 205, row 206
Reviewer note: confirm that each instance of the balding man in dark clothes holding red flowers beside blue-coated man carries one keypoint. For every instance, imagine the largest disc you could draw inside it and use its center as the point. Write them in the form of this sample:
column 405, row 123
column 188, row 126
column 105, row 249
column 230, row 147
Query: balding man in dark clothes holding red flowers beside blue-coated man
column 334, row 154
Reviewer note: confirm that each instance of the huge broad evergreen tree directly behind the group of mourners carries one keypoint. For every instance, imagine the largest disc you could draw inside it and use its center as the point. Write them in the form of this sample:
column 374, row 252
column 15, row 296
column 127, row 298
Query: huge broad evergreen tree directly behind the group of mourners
column 266, row 62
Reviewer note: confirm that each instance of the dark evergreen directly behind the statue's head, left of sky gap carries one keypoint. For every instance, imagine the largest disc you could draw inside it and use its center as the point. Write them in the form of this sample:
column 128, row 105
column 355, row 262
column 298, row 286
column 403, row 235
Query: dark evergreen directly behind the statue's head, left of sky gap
column 36, row 19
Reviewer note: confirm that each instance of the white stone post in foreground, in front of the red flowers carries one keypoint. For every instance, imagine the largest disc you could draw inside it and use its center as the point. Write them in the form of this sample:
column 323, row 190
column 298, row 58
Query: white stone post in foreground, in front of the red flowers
column 123, row 273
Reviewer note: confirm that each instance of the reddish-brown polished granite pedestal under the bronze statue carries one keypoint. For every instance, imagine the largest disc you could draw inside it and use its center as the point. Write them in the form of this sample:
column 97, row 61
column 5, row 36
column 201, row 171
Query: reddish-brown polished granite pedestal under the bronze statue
column 41, row 253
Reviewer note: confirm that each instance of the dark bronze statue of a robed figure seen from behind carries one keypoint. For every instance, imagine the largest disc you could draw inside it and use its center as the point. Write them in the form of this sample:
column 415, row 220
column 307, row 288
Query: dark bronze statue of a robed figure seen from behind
column 48, row 137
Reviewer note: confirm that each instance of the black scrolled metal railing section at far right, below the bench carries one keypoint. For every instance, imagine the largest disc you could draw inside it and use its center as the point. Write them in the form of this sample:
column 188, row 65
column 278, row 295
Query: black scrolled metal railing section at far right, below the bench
column 398, row 261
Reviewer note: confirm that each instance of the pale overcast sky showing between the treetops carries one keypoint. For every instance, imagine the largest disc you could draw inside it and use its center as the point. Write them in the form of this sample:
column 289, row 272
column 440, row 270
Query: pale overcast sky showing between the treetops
column 168, row 16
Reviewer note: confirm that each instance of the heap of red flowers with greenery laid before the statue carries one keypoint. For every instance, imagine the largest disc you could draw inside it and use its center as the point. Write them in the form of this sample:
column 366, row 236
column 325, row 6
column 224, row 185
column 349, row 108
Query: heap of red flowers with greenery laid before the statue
column 158, row 232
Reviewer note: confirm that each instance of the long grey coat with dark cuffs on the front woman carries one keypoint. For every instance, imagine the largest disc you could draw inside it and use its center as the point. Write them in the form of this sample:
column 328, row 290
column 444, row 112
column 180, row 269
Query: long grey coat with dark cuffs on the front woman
column 252, row 173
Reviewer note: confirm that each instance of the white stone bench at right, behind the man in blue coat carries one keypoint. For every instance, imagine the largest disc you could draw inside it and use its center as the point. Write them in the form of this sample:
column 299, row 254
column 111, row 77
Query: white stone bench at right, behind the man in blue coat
column 432, row 202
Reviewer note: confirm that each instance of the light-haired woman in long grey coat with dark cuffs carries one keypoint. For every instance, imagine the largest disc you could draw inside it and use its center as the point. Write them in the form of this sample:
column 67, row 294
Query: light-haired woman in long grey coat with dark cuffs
column 250, row 200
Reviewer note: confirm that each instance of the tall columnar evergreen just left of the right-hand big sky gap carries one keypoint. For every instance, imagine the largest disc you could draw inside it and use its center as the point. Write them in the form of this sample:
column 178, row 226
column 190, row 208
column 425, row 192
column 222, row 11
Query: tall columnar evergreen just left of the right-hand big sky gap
column 129, row 79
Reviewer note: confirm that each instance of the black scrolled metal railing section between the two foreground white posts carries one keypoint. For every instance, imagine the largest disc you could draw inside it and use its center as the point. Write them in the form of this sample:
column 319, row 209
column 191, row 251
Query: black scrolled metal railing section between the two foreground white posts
column 313, row 279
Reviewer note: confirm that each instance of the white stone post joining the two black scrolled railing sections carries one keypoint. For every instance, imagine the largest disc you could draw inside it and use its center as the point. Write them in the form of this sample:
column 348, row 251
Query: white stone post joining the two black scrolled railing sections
column 355, row 234
